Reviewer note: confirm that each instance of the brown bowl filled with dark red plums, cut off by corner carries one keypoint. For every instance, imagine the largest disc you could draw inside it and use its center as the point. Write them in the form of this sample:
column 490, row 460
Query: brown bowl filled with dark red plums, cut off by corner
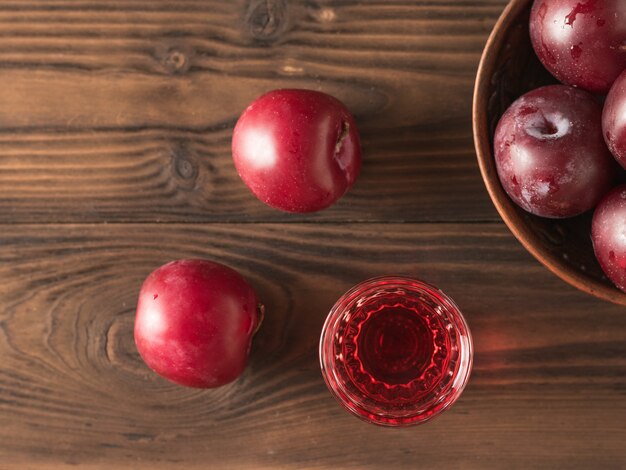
column 549, row 119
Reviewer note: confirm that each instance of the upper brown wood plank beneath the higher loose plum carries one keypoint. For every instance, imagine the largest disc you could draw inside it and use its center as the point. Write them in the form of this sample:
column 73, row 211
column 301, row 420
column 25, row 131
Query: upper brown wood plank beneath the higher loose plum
column 122, row 110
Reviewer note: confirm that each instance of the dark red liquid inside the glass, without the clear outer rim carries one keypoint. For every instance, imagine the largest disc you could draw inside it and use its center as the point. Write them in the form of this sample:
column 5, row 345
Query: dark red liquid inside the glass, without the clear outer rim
column 395, row 352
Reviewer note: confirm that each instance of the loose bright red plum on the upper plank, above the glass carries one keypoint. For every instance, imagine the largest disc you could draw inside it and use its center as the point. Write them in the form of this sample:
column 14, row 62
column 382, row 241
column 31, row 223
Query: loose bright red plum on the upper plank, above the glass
column 297, row 150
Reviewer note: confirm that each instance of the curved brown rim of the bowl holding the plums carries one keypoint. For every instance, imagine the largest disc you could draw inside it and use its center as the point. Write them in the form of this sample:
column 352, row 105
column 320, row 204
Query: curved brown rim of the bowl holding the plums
column 503, row 204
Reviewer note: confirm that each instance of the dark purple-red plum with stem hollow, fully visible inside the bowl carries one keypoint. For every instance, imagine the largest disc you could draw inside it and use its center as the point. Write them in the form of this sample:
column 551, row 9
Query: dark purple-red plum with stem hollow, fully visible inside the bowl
column 550, row 154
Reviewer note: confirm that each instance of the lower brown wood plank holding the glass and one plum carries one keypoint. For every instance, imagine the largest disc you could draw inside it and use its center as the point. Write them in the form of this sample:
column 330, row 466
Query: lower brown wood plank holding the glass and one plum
column 548, row 388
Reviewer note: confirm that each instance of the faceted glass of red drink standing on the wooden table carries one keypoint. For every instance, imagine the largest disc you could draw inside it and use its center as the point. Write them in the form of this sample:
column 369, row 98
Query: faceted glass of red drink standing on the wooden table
column 395, row 351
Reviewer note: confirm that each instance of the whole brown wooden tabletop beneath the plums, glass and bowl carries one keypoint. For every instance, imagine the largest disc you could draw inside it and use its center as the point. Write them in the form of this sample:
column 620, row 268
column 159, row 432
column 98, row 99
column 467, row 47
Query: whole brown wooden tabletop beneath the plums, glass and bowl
column 115, row 126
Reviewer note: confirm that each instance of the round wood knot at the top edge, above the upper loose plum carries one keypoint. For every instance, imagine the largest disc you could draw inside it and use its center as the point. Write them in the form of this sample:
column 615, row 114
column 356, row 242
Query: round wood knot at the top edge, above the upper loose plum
column 266, row 19
